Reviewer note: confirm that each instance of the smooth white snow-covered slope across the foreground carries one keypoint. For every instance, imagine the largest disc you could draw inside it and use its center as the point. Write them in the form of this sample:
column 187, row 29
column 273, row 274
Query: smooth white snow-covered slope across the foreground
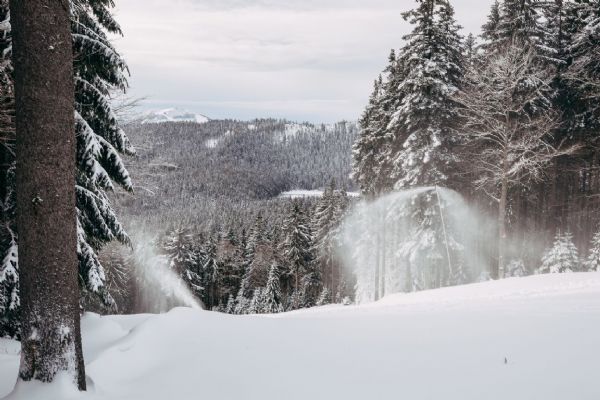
column 521, row 338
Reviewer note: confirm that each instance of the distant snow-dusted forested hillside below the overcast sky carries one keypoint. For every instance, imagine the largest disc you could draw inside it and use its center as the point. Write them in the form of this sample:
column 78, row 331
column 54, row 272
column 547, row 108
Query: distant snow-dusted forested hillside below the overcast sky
column 206, row 174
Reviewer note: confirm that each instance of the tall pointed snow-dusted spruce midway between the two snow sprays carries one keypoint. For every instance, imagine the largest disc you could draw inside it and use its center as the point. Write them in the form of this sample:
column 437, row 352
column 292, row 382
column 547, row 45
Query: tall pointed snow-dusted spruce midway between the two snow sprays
column 297, row 244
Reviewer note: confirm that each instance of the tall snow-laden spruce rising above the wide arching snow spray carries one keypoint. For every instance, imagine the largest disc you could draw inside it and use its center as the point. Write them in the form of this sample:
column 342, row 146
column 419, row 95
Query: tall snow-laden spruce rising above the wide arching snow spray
column 426, row 115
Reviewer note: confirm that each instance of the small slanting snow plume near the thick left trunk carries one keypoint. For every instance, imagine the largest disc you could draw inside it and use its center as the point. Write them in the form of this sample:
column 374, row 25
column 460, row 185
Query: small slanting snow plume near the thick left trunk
column 160, row 287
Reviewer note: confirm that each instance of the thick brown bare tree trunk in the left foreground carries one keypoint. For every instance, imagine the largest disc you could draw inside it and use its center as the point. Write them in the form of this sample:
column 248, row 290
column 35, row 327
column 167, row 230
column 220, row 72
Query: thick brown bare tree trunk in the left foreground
column 46, row 215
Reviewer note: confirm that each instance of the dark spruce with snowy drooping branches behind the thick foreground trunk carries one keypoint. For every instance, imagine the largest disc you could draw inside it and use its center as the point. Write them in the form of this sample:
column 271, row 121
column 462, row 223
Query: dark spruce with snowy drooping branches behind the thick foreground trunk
column 99, row 72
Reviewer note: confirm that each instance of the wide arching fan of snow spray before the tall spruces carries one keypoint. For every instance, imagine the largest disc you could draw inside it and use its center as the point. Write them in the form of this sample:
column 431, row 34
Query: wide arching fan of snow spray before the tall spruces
column 416, row 239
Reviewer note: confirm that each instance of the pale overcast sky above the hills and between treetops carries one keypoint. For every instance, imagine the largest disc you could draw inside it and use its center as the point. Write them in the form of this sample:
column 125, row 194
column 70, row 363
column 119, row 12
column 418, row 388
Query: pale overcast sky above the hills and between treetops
column 312, row 60
